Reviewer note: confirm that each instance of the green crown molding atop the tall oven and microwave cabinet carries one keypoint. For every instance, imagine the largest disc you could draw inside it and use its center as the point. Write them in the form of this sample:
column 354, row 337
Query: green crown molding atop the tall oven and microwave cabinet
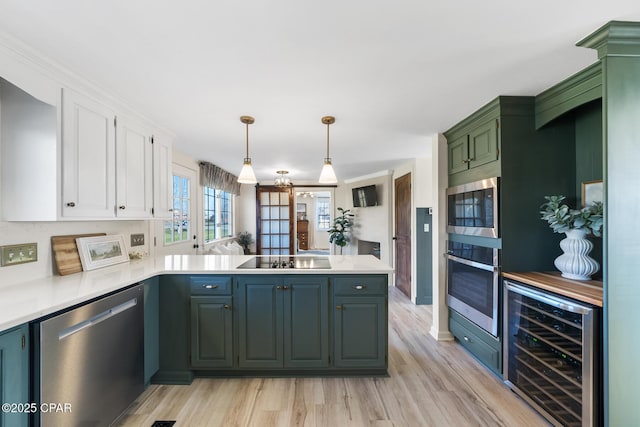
column 500, row 106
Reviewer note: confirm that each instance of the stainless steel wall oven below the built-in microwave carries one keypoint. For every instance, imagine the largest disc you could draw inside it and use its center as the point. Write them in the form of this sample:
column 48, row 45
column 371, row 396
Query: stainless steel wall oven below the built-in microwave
column 472, row 283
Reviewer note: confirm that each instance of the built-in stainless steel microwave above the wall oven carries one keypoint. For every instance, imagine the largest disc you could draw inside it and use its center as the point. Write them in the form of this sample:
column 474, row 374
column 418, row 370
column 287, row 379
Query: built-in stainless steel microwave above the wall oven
column 473, row 208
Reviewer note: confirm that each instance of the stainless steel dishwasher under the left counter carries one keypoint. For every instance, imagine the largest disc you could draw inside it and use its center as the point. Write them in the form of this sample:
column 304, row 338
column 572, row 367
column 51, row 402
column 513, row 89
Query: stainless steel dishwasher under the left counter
column 90, row 361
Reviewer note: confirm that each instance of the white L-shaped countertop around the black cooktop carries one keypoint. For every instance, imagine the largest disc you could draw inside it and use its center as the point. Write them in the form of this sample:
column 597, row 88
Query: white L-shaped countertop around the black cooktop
column 27, row 301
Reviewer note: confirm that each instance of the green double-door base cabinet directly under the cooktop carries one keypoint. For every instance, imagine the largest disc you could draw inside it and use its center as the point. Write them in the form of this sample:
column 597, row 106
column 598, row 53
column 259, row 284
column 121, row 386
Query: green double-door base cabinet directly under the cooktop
column 283, row 322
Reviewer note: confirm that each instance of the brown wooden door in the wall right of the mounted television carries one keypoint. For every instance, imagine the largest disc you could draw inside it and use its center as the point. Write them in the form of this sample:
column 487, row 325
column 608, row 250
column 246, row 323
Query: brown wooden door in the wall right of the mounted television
column 403, row 233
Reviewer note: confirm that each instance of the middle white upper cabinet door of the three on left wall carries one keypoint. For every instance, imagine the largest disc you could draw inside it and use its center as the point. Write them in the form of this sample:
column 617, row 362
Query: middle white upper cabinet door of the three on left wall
column 134, row 170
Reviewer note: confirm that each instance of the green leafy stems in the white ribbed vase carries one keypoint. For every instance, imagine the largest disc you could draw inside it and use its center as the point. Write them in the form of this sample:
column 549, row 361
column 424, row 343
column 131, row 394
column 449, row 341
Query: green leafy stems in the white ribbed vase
column 562, row 218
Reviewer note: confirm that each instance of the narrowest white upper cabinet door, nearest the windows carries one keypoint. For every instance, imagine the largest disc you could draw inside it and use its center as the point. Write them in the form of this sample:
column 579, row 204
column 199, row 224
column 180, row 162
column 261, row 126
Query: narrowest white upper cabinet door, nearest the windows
column 162, row 177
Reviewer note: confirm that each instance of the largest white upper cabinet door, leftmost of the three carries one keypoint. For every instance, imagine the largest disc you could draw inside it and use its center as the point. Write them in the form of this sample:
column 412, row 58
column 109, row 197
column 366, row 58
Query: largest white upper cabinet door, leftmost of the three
column 88, row 158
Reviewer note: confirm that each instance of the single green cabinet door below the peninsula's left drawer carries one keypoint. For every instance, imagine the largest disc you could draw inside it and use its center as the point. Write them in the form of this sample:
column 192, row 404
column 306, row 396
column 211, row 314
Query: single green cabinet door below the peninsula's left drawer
column 211, row 332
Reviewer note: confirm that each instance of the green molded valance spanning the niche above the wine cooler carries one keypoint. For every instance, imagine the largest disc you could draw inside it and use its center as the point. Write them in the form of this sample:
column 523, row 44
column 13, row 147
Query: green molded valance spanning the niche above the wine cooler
column 580, row 88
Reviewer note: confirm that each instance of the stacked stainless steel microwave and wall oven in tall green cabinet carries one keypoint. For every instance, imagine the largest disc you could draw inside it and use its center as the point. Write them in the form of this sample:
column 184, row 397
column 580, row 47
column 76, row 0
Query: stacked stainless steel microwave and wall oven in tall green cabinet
column 473, row 268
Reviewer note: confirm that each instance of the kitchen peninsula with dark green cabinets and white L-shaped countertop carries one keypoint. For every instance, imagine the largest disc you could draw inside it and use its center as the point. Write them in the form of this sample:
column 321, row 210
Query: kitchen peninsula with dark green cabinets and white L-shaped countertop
column 204, row 315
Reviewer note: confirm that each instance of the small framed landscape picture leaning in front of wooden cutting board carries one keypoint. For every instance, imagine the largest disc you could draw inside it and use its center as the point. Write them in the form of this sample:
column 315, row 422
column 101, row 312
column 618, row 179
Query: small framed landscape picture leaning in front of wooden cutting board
column 101, row 251
